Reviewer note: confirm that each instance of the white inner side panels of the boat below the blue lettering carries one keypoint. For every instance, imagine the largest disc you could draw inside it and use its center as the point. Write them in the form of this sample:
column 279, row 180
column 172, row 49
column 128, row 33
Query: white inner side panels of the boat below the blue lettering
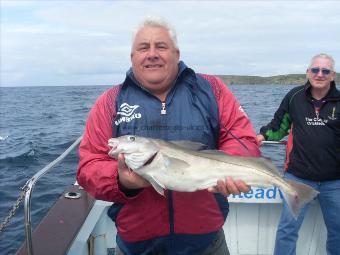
column 250, row 229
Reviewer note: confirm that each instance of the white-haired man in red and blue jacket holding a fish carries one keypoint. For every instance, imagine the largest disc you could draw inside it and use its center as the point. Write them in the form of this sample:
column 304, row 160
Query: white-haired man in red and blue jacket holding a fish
column 162, row 98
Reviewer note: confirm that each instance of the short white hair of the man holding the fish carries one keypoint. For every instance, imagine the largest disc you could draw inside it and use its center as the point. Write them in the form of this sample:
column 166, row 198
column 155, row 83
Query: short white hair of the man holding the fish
column 154, row 21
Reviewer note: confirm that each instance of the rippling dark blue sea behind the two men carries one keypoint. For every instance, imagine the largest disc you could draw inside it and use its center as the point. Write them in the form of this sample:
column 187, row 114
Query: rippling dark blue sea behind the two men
column 37, row 124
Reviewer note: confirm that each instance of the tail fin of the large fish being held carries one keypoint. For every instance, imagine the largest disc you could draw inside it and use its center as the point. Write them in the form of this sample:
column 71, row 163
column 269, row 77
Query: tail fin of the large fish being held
column 301, row 195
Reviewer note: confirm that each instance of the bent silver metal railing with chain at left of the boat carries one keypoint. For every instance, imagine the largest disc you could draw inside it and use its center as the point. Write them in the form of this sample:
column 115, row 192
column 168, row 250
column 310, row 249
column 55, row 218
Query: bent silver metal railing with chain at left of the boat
column 30, row 185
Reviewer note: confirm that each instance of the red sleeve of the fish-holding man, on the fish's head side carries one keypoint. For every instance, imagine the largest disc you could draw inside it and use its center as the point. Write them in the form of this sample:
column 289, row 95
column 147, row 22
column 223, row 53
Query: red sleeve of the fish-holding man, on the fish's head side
column 97, row 172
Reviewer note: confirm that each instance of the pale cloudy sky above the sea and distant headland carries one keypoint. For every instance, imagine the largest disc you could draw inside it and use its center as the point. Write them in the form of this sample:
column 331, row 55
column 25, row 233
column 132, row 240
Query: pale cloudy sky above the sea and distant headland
column 59, row 43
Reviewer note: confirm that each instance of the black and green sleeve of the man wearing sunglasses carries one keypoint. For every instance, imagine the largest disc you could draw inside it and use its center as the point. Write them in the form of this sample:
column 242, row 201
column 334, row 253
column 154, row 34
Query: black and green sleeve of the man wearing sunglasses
column 280, row 125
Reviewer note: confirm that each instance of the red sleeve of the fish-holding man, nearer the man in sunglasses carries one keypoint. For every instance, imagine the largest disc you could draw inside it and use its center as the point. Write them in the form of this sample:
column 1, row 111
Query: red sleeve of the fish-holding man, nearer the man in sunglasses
column 237, row 135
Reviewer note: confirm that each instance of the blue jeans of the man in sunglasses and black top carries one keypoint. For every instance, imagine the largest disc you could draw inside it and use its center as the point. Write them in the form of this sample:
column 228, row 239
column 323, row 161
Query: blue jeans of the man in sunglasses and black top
column 329, row 199
